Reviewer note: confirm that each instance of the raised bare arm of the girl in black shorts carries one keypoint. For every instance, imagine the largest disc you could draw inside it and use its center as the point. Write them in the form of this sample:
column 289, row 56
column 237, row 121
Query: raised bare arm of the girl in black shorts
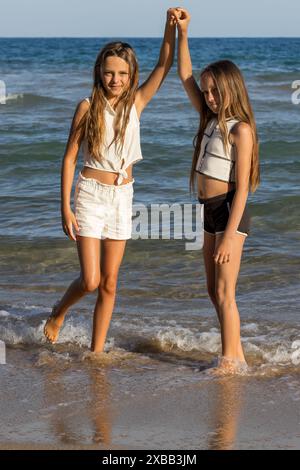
column 185, row 69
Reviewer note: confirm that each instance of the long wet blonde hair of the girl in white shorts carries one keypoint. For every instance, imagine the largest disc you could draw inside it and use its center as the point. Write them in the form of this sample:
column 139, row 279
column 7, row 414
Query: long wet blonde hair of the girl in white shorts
column 92, row 124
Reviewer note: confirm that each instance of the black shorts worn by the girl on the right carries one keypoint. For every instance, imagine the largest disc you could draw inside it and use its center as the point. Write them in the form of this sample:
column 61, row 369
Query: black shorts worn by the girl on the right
column 217, row 211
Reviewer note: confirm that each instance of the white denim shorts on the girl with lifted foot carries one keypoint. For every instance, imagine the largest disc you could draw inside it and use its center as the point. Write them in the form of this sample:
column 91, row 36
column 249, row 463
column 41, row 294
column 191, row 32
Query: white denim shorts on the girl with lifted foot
column 103, row 210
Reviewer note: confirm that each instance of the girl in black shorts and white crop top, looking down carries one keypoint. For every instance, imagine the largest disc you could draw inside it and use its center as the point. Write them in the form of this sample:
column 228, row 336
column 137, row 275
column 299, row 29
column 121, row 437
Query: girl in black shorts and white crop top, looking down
column 226, row 165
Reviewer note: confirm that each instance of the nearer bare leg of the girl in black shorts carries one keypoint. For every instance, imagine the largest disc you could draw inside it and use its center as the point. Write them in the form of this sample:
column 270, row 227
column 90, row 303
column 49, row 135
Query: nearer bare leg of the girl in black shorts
column 225, row 282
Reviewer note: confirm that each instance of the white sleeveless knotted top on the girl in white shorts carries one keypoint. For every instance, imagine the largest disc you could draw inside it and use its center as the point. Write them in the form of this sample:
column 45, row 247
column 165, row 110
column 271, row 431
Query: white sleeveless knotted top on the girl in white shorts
column 112, row 160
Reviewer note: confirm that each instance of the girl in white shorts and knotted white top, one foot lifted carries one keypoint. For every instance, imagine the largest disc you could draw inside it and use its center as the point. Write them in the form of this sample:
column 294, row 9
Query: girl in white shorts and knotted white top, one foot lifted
column 107, row 127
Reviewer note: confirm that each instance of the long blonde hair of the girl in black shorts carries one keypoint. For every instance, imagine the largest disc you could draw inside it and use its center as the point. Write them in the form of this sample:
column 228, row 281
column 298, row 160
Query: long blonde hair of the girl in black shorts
column 234, row 104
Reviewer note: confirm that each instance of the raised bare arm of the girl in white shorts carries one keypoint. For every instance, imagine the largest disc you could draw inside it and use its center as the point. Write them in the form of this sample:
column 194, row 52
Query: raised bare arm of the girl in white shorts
column 148, row 89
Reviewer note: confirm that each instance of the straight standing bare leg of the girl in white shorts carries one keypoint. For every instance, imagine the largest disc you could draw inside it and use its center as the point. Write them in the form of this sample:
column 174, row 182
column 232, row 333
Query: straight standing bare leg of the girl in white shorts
column 112, row 252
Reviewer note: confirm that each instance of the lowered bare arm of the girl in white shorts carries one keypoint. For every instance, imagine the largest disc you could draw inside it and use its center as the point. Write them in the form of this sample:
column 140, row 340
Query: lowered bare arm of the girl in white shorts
column 68, row 170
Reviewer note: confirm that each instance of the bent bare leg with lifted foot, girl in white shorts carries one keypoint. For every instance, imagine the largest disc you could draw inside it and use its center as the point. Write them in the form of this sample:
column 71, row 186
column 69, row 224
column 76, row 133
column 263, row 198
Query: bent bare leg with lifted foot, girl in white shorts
column 89, row 279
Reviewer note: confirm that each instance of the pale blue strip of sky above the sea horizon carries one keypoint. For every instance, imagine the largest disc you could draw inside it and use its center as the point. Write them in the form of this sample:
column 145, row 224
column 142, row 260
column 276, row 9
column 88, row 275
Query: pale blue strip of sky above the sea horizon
column 129, row 18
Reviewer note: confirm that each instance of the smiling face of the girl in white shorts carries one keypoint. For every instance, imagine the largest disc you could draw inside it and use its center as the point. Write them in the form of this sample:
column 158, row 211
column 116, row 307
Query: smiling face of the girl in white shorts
column 115, row 76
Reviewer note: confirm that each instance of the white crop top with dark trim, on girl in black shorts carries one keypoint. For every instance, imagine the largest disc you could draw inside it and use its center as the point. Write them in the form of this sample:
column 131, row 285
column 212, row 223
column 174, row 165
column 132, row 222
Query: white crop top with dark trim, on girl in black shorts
column 213, row 160
